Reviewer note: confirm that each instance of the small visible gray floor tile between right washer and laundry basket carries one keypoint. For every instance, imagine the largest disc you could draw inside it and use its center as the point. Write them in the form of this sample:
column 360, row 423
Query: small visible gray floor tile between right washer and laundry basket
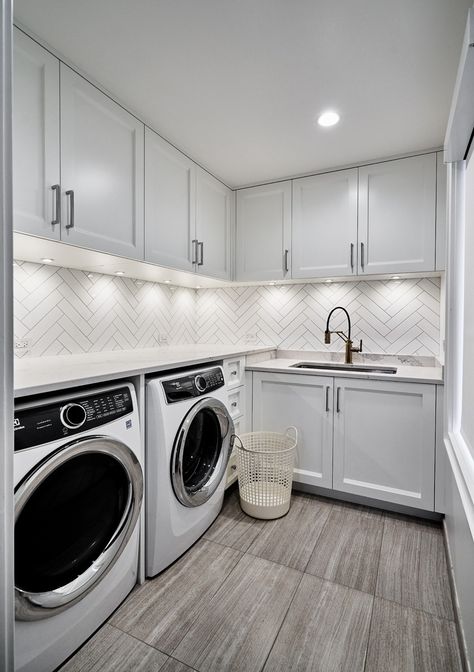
column 233, row 527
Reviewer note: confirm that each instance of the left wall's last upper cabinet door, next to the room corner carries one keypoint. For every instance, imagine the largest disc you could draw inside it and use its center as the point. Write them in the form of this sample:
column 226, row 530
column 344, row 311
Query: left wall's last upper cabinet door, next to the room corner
column 213, row 225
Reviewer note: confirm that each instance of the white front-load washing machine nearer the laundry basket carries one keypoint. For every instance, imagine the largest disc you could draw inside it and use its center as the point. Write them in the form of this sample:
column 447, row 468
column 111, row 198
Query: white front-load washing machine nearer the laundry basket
column 188, row 443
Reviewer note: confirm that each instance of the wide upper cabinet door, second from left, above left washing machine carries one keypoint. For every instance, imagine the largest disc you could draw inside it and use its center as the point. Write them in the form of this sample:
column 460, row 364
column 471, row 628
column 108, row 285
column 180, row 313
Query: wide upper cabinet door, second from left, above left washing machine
column 102, row 163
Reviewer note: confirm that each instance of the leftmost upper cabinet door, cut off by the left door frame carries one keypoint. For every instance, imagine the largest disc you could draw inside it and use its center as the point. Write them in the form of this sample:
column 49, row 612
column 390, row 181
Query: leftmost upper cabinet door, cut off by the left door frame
column 35, row 138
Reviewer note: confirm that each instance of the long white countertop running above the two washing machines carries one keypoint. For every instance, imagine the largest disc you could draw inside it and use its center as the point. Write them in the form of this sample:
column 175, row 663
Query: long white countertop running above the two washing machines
column 35, row 375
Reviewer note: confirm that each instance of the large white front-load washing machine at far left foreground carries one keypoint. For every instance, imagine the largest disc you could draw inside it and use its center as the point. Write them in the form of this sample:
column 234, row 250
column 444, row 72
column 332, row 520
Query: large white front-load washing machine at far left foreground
column 78, row 492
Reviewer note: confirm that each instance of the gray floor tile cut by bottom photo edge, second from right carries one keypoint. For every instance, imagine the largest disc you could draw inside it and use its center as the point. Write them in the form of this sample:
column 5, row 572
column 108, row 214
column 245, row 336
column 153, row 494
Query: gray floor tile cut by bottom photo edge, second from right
column 326, row 629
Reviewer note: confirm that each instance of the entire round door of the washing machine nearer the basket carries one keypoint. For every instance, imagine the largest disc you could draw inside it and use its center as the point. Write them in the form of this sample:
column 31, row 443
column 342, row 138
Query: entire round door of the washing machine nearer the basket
column 201, row 452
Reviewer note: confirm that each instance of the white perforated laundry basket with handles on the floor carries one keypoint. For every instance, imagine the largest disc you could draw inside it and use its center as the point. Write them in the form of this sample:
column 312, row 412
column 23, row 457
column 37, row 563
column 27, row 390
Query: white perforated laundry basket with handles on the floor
column 265, row 467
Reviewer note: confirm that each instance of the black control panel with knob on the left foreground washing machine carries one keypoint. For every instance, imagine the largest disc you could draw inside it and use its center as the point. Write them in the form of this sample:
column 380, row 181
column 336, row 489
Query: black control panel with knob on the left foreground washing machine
column 42, row 424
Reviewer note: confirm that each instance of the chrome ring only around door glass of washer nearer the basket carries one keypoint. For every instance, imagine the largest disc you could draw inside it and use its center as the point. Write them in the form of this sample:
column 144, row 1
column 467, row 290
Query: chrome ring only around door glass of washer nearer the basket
column 226, row 426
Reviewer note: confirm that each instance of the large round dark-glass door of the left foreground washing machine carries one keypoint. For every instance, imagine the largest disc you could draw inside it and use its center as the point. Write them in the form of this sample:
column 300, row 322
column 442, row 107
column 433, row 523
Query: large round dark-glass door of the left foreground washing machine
column 74, row 513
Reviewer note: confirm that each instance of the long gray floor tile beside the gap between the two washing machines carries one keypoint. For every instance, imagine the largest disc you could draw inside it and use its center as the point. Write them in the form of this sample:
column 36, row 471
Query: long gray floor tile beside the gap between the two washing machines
column 161, row 610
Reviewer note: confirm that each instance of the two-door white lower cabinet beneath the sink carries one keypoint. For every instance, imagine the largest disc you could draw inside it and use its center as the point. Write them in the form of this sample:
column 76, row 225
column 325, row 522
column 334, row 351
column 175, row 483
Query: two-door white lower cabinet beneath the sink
column 365, row 437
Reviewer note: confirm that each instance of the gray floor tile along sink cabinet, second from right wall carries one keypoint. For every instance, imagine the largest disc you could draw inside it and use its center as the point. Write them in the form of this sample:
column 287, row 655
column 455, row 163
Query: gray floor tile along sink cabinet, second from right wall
column 348, row 549
